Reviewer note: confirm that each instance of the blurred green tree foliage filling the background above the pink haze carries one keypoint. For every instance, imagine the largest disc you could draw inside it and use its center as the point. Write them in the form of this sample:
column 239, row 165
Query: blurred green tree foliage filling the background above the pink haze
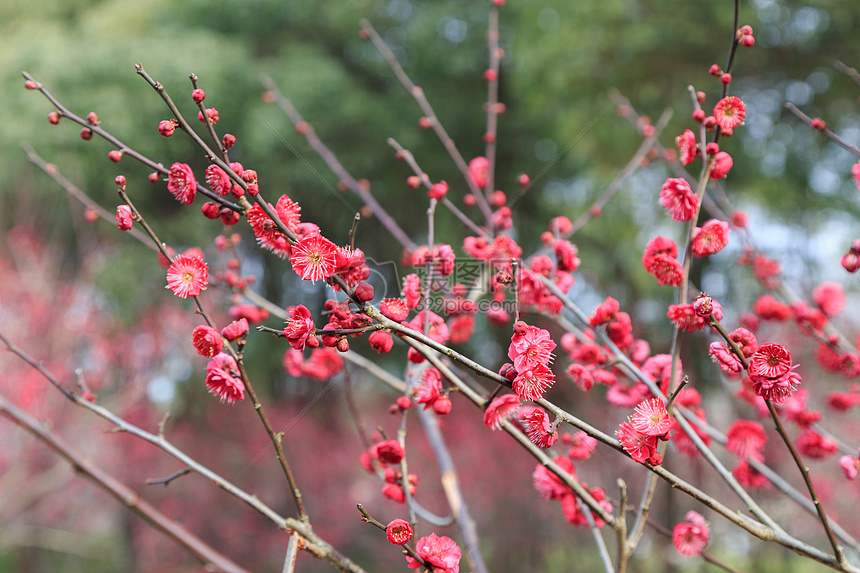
column 561, row 59
